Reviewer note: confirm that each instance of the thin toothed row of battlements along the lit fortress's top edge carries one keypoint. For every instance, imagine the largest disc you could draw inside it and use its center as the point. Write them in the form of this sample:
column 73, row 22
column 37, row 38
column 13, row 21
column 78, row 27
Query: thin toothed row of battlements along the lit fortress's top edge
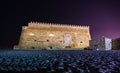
column 37, row 24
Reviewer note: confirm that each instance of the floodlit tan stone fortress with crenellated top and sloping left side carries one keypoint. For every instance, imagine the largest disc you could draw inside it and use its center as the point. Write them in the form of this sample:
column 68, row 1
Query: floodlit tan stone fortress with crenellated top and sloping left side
column 53, row 36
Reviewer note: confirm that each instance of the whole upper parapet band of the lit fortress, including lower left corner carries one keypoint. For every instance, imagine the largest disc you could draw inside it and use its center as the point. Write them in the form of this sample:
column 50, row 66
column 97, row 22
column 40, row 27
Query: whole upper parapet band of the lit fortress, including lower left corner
column 57, row 27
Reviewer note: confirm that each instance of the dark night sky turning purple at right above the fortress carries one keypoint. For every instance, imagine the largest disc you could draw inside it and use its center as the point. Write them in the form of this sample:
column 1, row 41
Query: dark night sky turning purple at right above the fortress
column 103, row 16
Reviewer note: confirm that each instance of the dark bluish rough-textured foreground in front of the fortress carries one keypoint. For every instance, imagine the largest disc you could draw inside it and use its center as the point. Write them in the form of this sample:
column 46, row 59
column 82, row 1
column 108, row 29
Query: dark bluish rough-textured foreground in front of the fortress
column 65, row 61
